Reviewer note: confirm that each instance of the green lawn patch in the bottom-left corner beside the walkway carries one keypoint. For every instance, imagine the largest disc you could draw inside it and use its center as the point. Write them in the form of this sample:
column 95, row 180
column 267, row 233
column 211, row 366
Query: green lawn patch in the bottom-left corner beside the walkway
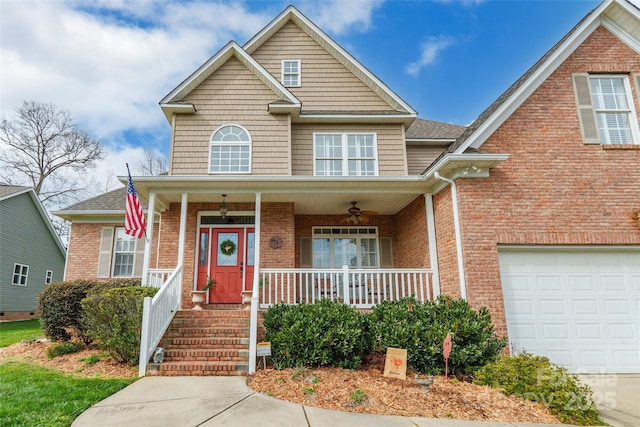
column 36, row 396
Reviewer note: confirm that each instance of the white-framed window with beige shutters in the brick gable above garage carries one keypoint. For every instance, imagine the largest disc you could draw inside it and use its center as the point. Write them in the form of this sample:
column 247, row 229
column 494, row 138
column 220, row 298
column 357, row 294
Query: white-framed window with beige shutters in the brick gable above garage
column 612, row 102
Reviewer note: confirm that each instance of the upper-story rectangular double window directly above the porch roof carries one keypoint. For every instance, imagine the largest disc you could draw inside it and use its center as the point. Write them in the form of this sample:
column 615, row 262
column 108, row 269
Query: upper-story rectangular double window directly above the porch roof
column 345, row 154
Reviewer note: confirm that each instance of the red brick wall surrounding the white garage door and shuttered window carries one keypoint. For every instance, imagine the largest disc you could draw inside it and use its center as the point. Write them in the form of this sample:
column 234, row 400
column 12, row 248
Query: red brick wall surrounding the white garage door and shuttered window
column 553, row 189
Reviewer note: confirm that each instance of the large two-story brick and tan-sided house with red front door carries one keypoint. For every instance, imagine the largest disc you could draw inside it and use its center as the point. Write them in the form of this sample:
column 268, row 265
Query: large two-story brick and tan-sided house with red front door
column 531, row 211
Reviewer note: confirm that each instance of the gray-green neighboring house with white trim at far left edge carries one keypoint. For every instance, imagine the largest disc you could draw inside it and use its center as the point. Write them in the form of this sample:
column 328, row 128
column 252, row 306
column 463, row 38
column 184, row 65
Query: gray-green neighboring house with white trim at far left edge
column 31, row 253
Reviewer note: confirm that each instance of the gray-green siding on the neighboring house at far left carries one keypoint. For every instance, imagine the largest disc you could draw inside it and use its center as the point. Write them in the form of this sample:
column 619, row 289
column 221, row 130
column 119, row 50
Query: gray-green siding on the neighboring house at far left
column 25, row 239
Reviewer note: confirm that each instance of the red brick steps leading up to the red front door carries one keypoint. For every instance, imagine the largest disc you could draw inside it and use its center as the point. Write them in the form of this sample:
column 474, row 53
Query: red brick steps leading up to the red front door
column 213, row 341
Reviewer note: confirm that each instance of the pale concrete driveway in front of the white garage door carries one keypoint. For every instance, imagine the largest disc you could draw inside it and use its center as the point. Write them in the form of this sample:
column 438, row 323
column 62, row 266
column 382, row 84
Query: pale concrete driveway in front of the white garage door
column 617, row 397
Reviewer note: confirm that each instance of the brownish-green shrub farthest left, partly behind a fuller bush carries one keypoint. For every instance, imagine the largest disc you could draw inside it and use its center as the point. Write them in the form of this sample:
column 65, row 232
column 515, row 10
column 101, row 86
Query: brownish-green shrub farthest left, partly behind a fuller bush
column 60, row 310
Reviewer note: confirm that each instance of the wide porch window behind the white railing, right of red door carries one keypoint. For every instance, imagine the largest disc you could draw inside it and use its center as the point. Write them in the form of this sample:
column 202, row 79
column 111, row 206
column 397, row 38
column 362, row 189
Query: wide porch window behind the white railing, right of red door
column 356, row 247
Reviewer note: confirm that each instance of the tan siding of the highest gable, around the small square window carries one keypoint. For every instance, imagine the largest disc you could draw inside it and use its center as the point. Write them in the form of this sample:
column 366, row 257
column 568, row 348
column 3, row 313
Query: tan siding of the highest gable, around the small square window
column 326, row 84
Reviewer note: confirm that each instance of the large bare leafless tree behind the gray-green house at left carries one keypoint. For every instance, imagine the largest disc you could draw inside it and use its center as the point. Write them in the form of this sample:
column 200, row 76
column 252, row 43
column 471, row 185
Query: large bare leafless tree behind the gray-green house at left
column 45, row 148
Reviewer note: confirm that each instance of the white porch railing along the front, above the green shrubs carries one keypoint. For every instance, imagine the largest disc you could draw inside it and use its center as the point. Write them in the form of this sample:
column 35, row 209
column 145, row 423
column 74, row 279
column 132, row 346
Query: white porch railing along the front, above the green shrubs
column 360, row 288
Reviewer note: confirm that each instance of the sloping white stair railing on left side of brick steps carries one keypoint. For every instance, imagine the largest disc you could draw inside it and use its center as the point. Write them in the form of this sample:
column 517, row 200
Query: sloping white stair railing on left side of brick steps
column 157, row 314
